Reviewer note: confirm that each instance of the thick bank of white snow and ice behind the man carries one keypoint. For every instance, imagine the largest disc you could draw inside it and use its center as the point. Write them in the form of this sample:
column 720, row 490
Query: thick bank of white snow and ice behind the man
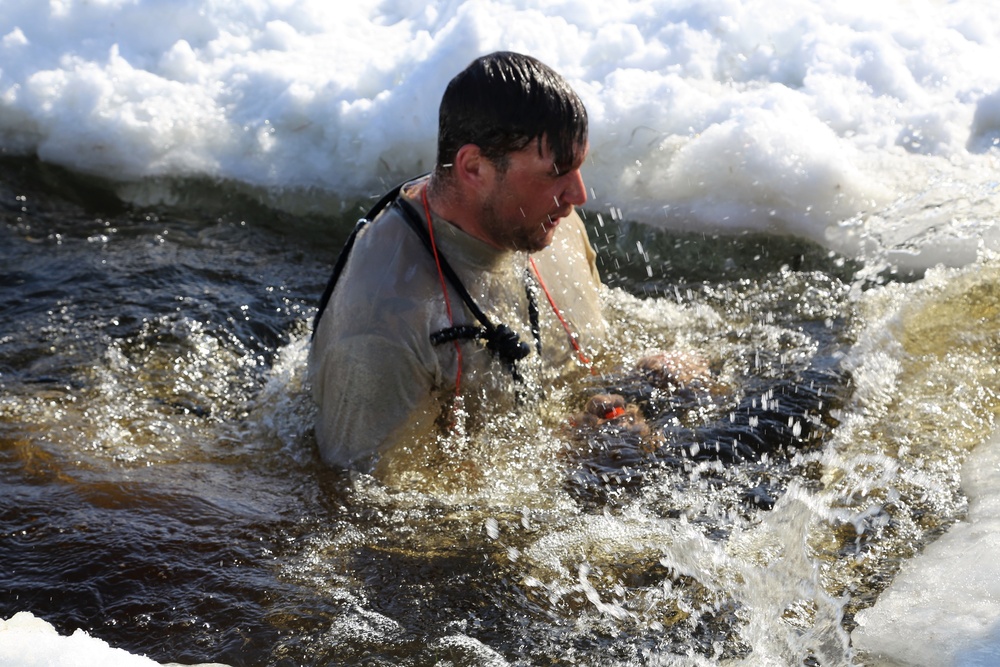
column 787, row 115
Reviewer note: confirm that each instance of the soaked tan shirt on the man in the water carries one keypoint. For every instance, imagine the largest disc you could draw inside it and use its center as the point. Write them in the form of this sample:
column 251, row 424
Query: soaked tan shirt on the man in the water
column 375, row 374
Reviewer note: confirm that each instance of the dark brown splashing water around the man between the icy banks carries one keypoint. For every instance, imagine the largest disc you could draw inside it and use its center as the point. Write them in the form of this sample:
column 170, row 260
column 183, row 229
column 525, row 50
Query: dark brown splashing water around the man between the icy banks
column 160, row 488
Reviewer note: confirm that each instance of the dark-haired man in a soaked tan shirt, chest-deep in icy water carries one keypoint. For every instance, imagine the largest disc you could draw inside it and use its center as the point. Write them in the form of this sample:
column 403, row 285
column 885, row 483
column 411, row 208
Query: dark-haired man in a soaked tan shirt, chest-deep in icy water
column 400, row 353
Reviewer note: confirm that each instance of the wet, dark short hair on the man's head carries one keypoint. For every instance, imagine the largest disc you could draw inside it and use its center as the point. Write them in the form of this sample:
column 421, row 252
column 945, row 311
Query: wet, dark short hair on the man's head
column 501, row 103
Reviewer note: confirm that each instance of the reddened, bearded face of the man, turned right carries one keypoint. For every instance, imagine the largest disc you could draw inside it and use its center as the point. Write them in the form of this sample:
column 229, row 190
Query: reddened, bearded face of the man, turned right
column 526, row 201
